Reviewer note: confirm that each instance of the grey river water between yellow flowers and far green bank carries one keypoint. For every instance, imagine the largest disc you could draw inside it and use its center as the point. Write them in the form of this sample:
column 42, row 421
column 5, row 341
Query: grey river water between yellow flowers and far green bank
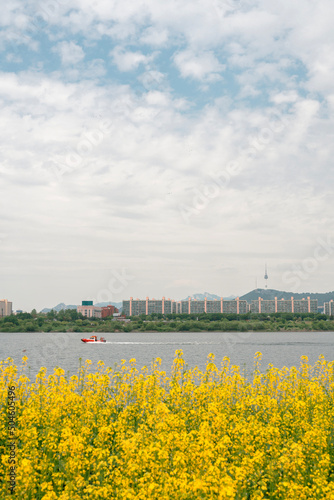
column 65, row 349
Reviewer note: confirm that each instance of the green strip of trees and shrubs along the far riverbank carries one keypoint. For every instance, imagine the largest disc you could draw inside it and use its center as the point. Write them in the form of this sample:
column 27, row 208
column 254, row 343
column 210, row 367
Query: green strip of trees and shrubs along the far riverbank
column 71, row 321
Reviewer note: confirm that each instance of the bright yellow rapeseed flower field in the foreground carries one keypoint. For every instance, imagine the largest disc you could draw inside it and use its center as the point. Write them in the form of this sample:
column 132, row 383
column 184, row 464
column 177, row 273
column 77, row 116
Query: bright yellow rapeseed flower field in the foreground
column 129, row 433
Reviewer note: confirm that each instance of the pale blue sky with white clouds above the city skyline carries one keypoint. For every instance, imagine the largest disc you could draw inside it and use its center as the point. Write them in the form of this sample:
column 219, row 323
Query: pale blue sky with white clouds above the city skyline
column 153, row 148
